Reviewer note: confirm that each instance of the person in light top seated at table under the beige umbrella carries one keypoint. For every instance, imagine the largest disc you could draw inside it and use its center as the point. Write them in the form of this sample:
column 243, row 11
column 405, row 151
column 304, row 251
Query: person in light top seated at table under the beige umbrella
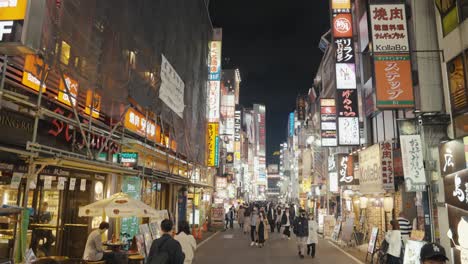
column 94, row 250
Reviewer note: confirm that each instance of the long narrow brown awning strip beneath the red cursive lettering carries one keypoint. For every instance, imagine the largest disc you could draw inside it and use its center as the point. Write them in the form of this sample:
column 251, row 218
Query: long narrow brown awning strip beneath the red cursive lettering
column 86, row 165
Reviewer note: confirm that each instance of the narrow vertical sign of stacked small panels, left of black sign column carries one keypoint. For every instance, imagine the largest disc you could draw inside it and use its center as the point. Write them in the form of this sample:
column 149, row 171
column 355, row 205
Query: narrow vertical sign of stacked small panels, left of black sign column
column 328, row 122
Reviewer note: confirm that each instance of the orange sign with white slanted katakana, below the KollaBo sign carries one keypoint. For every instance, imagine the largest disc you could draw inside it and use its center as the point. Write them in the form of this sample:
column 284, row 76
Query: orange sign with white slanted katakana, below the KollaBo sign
column 394, row 85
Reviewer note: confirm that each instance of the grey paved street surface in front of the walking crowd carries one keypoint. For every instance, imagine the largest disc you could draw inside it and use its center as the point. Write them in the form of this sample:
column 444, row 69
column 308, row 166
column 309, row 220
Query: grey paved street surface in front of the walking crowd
column 233, row 247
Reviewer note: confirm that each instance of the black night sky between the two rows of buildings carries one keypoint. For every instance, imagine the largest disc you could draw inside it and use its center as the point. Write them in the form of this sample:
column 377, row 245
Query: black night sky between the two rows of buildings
column 274, row 43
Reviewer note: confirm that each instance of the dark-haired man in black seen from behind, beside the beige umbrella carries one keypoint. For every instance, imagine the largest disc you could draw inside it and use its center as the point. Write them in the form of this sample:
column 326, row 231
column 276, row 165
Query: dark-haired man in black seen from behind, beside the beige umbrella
column 166, row 249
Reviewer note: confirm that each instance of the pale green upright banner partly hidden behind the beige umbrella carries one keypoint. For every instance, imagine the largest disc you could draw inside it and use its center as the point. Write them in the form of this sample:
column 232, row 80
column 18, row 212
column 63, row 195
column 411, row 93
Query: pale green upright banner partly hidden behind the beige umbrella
column 132, row 187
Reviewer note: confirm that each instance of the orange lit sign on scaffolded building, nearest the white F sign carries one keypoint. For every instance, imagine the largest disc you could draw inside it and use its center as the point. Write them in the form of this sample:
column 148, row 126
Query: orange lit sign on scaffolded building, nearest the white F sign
column 32, row 73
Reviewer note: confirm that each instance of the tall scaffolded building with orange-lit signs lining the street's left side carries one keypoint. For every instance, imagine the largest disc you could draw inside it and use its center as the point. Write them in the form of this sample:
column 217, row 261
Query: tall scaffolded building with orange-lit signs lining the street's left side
column 107, row 97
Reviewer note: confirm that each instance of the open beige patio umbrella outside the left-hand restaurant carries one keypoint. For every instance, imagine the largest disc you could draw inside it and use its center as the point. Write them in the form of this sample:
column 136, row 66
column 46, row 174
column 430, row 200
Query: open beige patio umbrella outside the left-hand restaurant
column 117, row 206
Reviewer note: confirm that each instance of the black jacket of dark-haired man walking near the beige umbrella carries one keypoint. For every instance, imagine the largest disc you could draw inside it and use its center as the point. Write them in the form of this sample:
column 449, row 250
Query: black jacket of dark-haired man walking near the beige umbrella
column 171, row 246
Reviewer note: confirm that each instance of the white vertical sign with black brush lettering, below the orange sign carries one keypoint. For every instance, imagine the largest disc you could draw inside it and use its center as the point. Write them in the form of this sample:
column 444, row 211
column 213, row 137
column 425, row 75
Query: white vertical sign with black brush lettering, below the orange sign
column 413, row 165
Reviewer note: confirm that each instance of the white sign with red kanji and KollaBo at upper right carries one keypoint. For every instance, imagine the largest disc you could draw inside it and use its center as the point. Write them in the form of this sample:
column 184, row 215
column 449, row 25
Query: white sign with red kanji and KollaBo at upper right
column 389, row 29
